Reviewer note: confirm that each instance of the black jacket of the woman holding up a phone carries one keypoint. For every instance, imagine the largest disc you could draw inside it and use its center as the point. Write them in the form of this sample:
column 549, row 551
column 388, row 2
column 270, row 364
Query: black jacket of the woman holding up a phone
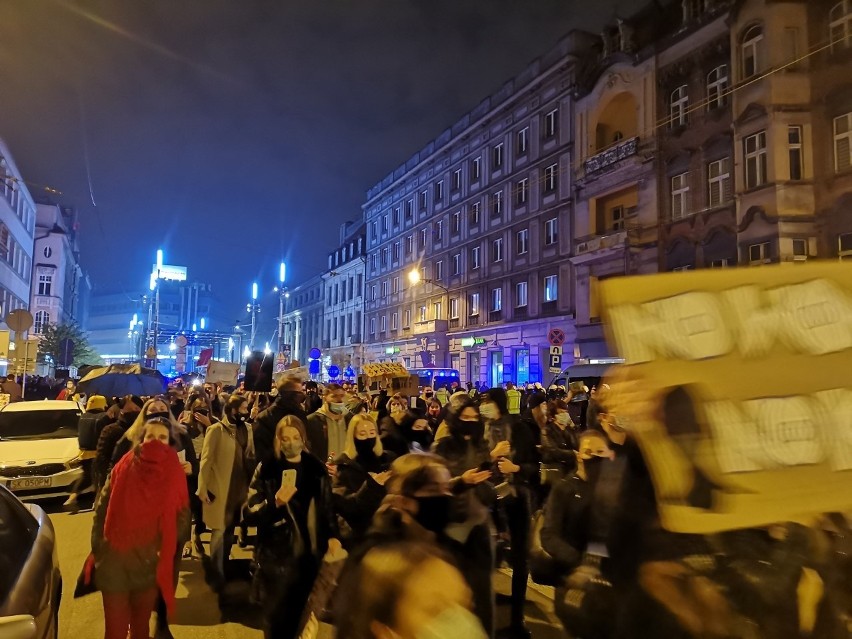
column 279, row 533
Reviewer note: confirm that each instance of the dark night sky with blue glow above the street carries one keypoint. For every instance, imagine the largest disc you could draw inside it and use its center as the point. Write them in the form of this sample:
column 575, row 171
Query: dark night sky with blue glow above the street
column 236, row 132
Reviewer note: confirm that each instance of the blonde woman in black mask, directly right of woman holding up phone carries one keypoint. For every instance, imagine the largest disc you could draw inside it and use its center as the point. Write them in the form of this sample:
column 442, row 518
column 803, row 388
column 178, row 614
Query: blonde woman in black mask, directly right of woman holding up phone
column 362, row 471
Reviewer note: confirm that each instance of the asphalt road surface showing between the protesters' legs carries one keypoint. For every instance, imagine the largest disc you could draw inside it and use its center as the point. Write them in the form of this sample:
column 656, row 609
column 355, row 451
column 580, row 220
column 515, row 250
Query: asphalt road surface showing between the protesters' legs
column 198, row 614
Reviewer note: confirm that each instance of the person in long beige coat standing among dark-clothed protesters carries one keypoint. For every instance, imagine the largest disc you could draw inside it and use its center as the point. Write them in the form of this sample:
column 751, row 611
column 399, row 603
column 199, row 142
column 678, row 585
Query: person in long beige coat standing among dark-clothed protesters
column 226, row 458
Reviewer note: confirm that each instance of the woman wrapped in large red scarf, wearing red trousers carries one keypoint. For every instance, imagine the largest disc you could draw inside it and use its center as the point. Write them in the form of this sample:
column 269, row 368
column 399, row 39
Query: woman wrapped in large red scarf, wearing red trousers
column 135, row 534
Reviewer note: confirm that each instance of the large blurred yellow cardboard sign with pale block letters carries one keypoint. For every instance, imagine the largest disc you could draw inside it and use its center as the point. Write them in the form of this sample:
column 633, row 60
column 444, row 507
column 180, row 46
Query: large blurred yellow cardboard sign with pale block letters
column 744, row 414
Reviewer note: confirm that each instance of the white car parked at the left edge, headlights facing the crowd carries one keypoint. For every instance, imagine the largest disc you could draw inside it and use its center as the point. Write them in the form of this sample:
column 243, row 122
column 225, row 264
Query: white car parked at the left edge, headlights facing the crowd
column 39, row 452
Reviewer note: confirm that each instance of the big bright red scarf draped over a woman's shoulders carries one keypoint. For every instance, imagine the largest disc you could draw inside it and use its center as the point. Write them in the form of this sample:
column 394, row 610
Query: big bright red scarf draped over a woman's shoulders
column 148, row 491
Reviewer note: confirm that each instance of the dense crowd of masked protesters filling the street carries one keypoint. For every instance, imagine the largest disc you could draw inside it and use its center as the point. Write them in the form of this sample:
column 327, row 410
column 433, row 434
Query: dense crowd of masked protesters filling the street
column 426, row 497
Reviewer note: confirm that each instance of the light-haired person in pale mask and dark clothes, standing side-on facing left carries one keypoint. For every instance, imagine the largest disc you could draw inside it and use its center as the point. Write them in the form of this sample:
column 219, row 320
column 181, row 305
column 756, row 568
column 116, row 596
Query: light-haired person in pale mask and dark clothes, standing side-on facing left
column 516, row 462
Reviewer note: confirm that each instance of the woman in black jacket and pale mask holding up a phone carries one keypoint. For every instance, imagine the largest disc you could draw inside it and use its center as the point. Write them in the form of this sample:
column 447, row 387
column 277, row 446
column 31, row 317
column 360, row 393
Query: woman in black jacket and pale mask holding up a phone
column 296, row 525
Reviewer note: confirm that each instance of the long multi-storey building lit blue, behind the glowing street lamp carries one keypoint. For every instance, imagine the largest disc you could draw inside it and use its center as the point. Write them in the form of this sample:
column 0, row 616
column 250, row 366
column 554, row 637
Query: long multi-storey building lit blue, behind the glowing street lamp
column 468, row 239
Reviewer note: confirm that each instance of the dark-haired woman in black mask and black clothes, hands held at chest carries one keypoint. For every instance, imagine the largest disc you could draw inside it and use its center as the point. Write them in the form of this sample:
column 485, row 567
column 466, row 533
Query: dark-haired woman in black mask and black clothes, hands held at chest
column 469, row 459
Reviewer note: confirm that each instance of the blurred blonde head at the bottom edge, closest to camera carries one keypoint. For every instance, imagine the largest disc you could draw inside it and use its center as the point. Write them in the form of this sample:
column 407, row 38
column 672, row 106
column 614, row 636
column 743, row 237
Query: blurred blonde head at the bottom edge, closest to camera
column 406, row 591
